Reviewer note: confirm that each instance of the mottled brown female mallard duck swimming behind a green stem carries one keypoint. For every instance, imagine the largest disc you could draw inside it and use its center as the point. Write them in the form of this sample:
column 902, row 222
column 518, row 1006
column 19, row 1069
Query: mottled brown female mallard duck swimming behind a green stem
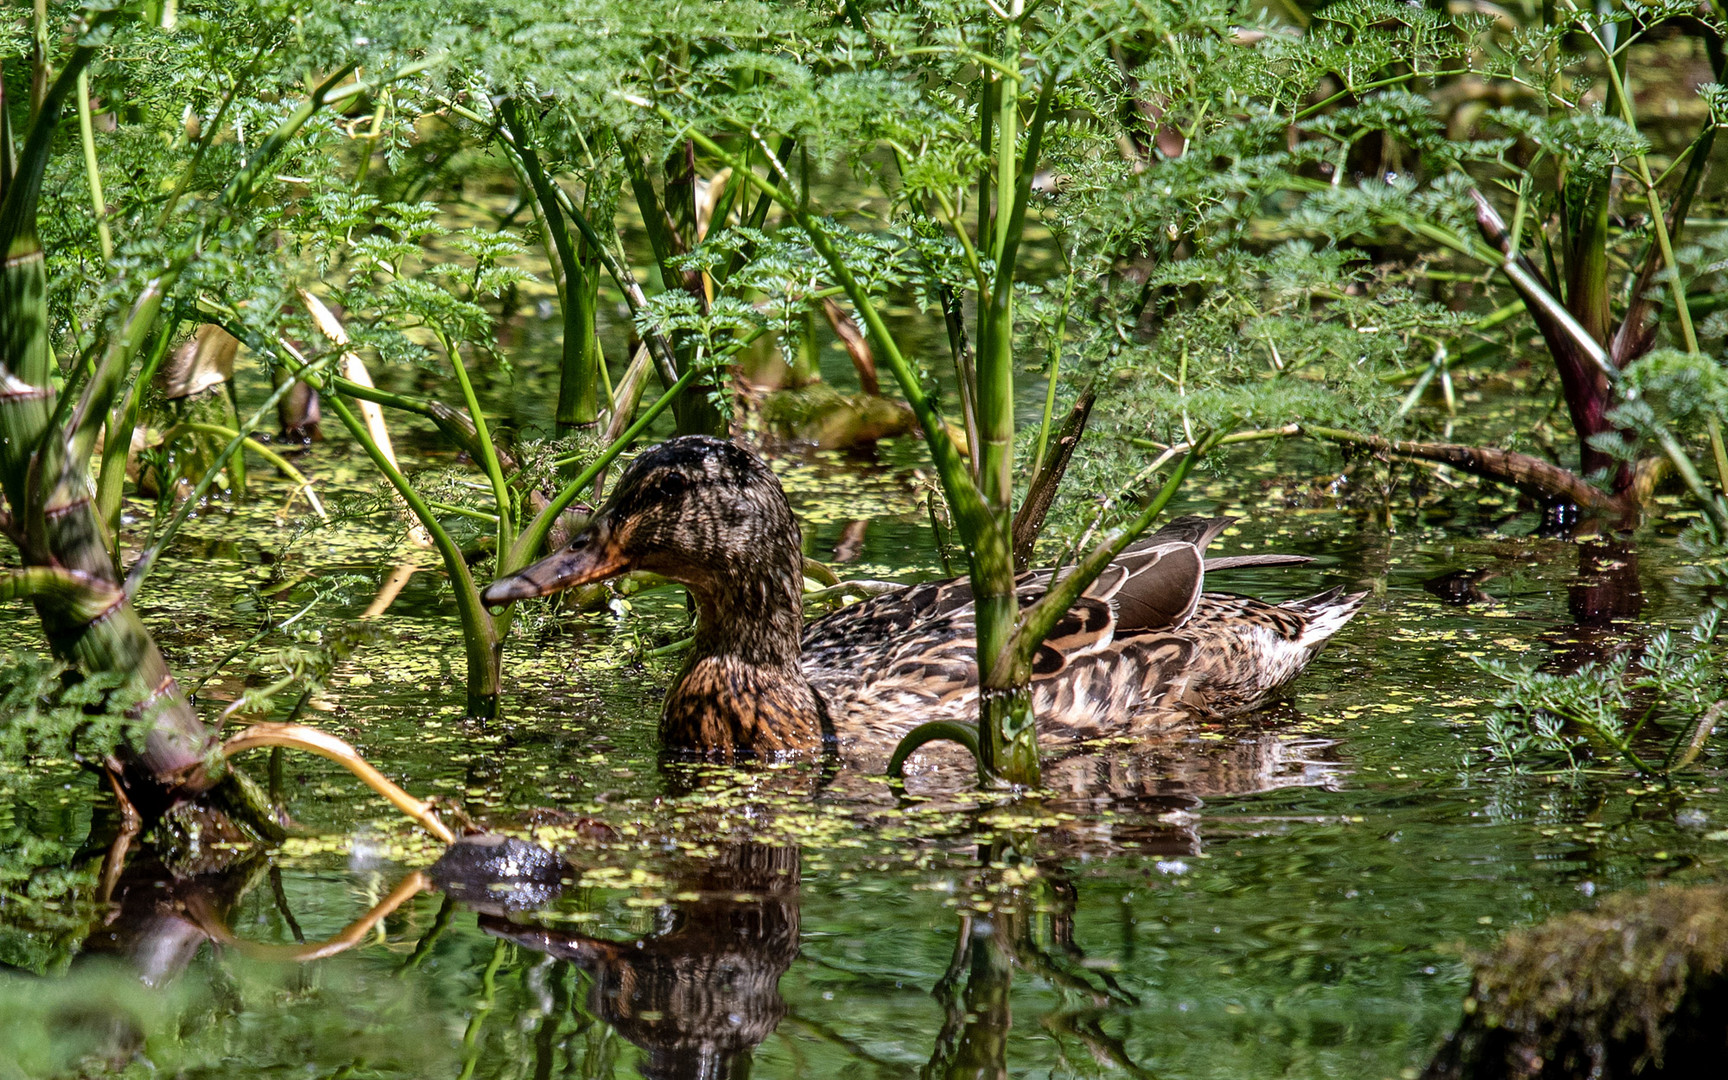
column 1145, row 647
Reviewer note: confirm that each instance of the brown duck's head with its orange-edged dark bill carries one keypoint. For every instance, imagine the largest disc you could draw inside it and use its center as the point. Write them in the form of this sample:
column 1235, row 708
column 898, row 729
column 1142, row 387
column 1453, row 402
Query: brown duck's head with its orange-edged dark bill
column 697, row 511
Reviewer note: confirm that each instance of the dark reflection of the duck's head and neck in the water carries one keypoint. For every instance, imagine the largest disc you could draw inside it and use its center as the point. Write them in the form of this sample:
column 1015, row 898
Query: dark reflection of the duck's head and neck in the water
column 704, row 993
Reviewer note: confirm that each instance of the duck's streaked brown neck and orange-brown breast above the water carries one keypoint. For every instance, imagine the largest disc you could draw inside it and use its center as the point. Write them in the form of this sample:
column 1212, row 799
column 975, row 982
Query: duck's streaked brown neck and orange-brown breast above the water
column 742, row 692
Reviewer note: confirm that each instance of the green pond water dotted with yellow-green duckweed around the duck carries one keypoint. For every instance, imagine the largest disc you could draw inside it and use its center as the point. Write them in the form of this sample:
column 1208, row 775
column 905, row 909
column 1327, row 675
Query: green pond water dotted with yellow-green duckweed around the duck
column 1293, row 894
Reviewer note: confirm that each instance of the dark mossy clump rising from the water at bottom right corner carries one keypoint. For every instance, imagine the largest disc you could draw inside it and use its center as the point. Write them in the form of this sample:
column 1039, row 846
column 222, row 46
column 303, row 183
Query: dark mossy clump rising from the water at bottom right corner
column 1637, row 988
